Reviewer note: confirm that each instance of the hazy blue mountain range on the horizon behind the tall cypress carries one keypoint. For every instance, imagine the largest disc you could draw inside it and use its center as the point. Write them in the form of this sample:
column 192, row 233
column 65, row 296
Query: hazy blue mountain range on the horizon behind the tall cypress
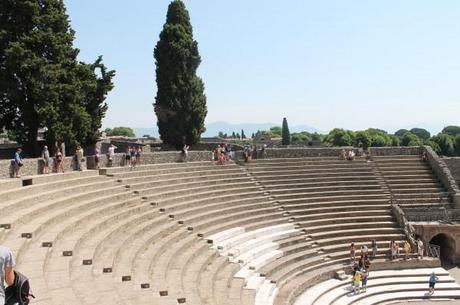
column 212, row 129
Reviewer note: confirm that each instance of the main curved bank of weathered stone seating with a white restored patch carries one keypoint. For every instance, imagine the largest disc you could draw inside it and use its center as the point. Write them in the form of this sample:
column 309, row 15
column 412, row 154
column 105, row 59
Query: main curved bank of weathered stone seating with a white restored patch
column 194, row 233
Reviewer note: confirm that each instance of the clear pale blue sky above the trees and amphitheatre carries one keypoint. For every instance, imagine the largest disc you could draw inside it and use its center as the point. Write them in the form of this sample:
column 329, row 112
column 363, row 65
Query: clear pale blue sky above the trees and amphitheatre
column 351, row 64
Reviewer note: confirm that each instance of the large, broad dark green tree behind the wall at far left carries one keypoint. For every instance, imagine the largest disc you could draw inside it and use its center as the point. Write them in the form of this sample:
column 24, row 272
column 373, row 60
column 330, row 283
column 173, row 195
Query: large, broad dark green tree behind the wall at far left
column 41, row 82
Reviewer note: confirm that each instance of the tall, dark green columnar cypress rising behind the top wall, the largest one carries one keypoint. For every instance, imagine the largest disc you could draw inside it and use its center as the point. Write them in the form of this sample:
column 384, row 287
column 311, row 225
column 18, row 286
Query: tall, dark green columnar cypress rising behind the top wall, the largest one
column 180, row 103
